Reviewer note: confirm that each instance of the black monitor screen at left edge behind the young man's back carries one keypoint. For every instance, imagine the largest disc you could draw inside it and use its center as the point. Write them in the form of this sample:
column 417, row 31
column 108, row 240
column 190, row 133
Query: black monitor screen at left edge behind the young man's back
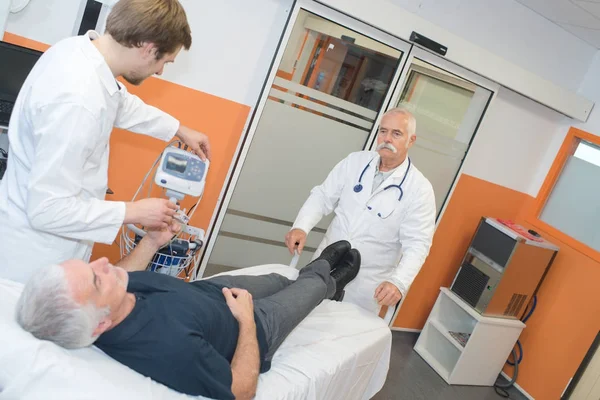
column 16, row 64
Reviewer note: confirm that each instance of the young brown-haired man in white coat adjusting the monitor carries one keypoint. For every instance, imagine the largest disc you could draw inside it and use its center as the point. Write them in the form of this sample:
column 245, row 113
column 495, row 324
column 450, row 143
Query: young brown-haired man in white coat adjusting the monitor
column 52, row 205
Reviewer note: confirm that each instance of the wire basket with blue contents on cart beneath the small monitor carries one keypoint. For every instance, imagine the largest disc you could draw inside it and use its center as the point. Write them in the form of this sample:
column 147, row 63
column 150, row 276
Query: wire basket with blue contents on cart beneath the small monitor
column 179, row 258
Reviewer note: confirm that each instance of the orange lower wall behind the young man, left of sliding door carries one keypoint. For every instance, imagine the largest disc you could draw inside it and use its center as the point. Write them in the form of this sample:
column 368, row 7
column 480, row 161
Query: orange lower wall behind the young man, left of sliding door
column 131, row 155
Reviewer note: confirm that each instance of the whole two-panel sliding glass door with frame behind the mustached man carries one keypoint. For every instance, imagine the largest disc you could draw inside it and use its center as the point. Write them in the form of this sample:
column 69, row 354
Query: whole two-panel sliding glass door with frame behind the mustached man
column 331, row 81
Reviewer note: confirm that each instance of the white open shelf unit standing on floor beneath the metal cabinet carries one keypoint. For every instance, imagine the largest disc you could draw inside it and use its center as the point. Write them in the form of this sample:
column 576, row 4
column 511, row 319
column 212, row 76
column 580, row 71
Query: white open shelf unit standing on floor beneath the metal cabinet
column 482, row 358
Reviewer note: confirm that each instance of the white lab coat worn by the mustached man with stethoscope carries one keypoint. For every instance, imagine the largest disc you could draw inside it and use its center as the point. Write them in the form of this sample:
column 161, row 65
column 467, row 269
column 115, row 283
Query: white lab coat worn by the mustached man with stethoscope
column 392, row 249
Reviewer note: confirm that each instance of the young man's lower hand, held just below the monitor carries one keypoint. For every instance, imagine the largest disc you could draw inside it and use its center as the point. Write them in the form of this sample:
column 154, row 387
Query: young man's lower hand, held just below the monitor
column 153, row 214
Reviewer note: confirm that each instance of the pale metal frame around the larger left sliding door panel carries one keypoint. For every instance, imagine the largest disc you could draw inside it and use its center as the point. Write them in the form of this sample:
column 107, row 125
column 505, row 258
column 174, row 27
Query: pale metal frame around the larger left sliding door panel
column 245, row 142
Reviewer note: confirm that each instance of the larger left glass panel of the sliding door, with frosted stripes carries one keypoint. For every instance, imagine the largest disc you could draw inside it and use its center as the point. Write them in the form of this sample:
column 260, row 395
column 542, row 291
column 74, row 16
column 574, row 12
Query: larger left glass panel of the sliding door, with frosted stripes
column 329, row 88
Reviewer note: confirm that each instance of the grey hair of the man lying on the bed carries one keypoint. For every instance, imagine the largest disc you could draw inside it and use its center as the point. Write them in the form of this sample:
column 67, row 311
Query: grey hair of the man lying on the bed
column 48, row 311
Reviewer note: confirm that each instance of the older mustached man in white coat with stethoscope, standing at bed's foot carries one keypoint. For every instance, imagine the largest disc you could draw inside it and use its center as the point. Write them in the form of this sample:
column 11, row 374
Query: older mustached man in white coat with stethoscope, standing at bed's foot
column 383, row 206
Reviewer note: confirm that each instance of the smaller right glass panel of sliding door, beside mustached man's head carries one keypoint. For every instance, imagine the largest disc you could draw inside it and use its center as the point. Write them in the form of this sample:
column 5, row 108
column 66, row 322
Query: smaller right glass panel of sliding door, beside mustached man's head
column 447, row 109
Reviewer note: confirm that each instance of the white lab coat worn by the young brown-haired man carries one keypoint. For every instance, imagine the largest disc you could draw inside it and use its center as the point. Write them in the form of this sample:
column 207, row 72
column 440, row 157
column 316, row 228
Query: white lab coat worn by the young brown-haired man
column 52, row 205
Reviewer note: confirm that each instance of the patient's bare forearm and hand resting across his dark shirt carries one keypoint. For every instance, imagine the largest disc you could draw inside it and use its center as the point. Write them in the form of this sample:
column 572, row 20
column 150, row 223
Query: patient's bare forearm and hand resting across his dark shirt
column 245, row 365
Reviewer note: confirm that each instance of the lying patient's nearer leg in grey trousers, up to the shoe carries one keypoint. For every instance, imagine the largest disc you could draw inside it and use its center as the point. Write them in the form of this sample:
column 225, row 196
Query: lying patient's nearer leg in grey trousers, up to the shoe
column 281, row 312
